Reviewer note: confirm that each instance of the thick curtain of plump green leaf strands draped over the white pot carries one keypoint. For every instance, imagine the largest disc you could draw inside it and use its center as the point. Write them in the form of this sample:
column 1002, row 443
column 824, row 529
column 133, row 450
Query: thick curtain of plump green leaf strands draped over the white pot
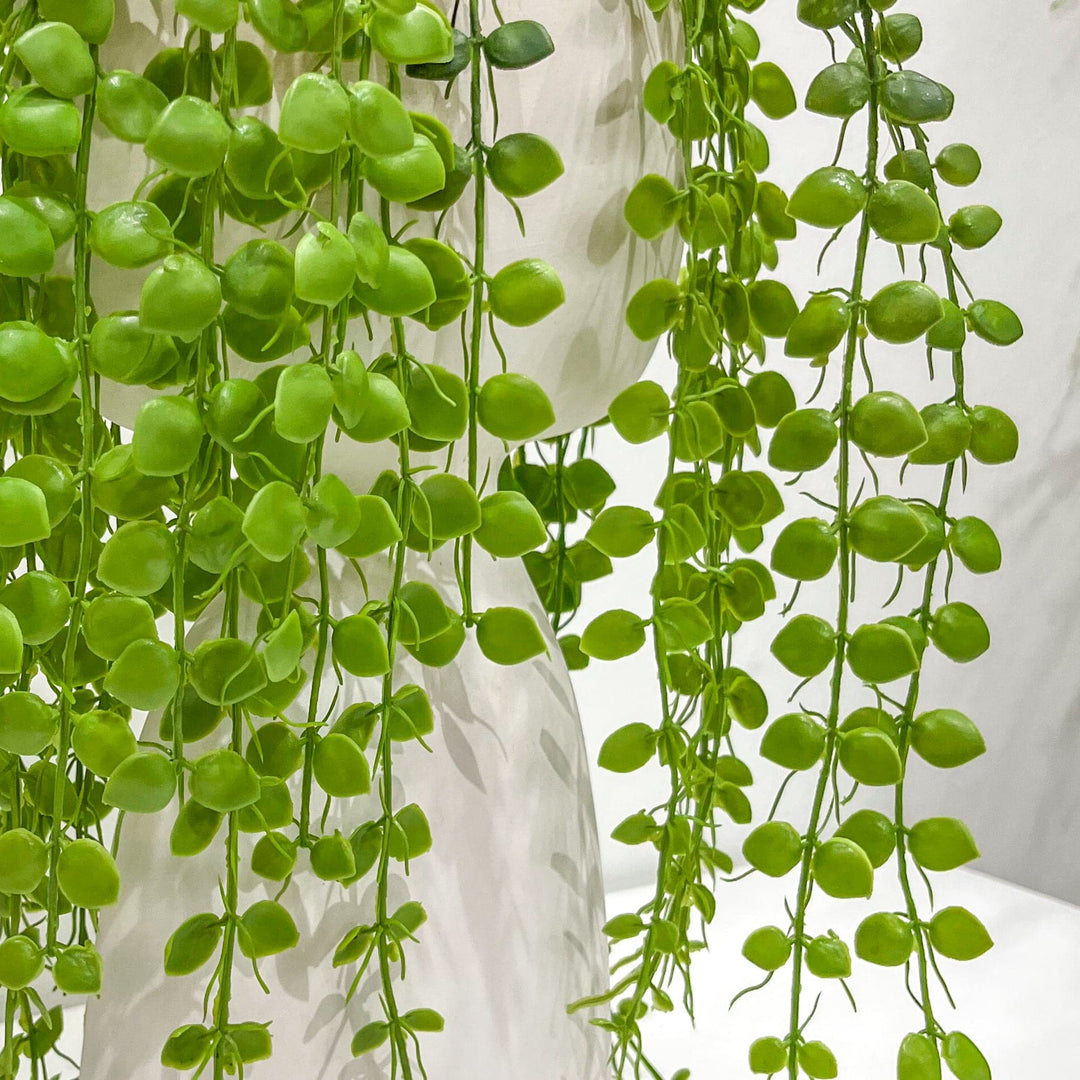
column 222, row 505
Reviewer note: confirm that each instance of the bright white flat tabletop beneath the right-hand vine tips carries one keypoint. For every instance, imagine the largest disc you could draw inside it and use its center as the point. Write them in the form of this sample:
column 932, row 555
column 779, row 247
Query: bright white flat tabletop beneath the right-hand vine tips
column 1018, row 1002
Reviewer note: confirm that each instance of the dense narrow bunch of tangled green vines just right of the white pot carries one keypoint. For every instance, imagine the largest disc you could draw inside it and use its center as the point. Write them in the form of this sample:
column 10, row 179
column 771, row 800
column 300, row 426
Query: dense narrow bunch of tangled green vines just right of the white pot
column 720, row 315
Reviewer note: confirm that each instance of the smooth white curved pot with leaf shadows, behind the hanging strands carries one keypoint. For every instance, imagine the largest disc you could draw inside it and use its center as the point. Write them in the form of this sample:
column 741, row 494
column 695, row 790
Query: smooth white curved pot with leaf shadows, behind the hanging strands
column 514, row 886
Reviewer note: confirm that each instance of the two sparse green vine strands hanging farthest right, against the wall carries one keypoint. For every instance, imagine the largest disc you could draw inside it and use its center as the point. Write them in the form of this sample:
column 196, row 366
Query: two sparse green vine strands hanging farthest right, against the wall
column 872, row 746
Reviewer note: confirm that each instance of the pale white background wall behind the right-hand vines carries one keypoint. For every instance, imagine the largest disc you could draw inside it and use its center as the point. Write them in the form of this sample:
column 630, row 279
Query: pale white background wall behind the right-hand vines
column 1015, row 70
